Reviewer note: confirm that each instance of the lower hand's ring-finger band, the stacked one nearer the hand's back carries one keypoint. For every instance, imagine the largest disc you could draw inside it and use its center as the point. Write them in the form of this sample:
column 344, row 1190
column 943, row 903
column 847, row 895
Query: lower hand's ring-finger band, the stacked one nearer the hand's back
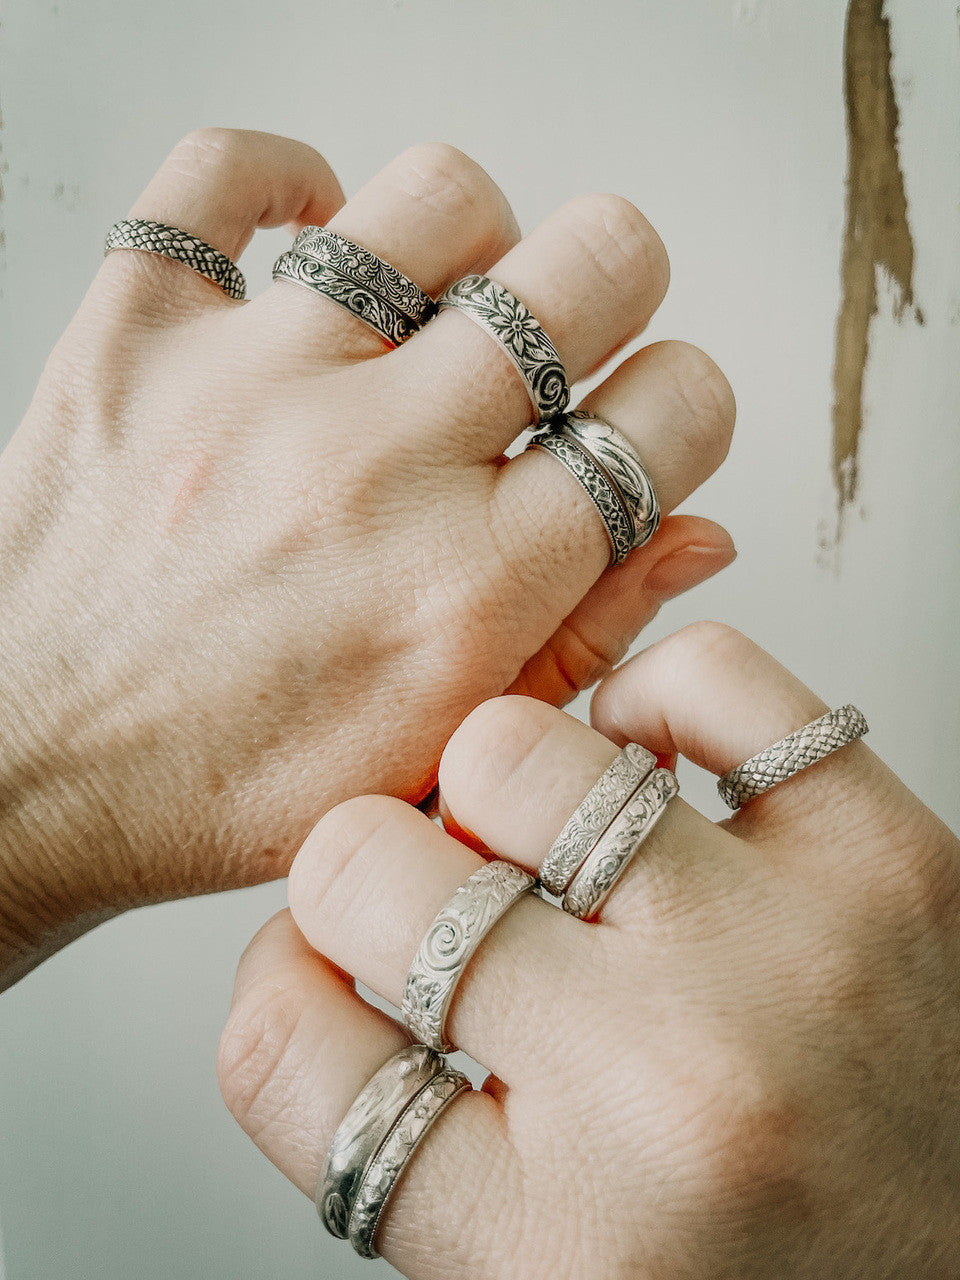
column 616, row 849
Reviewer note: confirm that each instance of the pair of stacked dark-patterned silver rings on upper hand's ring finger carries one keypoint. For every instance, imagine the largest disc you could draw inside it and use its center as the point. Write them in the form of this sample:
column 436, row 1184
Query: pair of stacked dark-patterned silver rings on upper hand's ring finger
column 358, row 280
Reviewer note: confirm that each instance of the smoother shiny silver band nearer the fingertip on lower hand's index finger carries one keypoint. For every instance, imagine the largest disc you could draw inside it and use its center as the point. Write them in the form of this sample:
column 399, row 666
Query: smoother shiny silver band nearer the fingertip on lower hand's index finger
column 365, row 1128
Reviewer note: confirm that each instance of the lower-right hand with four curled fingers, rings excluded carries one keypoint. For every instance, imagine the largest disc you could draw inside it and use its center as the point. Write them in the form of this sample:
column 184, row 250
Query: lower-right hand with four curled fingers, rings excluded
column 748, row 1068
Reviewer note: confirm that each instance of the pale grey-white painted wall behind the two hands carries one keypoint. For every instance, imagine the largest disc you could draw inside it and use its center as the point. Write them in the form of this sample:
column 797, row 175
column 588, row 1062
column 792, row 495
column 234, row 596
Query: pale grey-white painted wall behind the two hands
column 726, row 122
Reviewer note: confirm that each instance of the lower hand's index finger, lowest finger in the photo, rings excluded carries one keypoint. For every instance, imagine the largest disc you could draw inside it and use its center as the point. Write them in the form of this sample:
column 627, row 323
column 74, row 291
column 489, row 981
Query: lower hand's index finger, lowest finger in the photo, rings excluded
column 299, row 1048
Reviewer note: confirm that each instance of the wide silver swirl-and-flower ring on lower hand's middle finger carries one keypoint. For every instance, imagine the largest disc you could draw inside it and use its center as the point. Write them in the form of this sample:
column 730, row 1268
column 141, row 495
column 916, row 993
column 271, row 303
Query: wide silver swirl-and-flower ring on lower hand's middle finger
column 451, row 941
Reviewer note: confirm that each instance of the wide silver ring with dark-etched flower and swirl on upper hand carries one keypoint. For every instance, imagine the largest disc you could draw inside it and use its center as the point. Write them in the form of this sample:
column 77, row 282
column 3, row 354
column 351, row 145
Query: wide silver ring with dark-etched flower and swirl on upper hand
column 520, row 335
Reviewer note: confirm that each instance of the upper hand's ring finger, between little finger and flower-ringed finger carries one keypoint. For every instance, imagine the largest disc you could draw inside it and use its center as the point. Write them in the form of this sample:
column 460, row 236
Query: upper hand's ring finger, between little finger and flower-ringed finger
column 433, row 213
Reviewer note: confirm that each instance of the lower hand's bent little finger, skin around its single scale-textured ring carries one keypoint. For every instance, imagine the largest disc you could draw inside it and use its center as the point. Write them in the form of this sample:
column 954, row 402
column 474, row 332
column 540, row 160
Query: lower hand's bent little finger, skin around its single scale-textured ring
column 717, row 698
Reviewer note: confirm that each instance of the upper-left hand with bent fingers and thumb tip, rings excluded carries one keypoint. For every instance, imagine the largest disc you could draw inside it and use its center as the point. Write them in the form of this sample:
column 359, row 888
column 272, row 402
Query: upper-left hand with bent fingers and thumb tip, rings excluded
column 253, row 564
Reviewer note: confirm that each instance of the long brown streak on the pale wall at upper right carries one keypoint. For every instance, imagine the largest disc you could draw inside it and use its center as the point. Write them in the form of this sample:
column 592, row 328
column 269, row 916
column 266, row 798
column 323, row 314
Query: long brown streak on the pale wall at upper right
column 877, row 230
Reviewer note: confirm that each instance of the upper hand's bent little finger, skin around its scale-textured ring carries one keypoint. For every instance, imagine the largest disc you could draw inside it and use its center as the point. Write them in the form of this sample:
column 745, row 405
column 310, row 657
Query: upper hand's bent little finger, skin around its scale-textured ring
column 221, row 185
